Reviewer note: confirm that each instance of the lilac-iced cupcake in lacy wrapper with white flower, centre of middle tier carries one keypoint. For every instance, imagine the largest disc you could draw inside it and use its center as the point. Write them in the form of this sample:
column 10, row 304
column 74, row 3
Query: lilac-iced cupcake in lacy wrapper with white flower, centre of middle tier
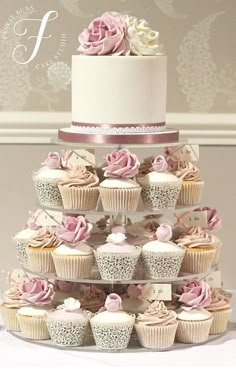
column 117, row 259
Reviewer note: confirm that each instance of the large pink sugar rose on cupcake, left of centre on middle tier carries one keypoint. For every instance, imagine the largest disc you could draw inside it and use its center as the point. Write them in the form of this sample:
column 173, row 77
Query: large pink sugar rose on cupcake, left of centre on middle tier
column 74, row 230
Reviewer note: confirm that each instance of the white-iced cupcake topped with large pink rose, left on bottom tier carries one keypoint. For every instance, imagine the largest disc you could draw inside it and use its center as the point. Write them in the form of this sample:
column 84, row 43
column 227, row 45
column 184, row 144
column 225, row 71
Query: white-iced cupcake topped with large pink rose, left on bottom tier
column 38, row 294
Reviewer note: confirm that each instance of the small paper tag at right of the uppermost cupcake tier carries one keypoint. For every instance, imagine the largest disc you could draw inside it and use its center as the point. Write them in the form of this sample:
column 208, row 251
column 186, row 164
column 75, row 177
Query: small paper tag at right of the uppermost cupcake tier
column 189, row 152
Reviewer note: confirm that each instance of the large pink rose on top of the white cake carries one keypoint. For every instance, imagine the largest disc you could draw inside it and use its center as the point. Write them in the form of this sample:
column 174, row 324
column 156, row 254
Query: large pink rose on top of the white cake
column 105, row 35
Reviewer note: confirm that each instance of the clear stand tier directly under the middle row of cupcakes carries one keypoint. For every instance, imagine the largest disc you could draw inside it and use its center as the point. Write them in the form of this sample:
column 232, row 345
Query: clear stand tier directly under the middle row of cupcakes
column 99, row 281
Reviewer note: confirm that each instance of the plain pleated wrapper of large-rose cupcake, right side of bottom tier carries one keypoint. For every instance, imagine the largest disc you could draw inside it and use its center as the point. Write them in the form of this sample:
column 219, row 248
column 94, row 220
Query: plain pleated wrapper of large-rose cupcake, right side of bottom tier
column 190, row 332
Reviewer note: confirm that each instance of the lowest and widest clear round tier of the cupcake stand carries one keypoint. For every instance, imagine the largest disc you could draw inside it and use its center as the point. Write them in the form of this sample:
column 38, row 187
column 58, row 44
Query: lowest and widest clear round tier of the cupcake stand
column 132, row 347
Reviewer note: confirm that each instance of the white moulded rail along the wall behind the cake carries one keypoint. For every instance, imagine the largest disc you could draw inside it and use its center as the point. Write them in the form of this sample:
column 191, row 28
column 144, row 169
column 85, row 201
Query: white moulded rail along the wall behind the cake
column 40, row 127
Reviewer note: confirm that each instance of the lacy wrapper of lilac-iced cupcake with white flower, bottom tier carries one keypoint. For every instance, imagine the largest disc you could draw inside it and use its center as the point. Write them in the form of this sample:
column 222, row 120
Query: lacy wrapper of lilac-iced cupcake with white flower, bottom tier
column 67, row 333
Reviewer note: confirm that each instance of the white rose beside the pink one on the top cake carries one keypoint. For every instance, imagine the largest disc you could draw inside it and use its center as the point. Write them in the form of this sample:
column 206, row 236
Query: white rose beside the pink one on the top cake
column 142, row 39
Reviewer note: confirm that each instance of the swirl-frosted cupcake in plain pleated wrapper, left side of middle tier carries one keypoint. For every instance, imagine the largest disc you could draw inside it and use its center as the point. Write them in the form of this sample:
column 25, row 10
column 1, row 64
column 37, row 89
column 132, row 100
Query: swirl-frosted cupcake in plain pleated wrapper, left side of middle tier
column 39, row 249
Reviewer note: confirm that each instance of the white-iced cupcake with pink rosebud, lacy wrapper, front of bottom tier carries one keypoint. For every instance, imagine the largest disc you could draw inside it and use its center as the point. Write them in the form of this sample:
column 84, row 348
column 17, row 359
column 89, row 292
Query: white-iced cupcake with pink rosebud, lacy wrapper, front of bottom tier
column 112, row 327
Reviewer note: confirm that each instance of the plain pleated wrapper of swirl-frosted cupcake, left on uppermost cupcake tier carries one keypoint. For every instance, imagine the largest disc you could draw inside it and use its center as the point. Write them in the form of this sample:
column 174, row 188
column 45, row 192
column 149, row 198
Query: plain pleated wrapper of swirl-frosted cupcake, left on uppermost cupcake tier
column 79, row 198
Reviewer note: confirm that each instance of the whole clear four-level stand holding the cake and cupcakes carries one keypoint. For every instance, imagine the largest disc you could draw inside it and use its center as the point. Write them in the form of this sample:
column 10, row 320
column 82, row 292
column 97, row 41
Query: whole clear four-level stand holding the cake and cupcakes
column 133, row 344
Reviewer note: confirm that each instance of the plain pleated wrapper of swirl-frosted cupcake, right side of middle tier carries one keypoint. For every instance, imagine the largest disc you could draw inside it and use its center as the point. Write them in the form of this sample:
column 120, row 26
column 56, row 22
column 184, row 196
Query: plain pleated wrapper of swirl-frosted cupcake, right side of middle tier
column 196, row 261
